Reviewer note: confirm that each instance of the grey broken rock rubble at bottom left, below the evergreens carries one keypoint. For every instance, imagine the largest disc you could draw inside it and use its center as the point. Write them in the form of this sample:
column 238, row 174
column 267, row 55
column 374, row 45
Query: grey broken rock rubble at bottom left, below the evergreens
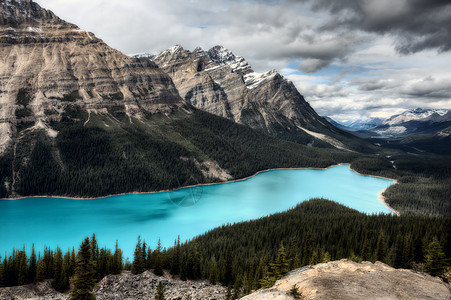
column 126, row 286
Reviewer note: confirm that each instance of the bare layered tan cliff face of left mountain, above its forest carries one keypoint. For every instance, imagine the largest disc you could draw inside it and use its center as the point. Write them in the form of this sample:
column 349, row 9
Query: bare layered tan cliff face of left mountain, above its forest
column 47, row 64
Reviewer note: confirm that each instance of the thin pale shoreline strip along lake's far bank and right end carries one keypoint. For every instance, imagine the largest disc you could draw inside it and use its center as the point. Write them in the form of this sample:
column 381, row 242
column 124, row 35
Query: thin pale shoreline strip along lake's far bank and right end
column 379, row 196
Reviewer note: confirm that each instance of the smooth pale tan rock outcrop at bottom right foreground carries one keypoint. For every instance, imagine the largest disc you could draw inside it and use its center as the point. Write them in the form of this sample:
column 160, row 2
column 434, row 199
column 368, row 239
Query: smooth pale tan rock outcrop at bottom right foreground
column 346, row 279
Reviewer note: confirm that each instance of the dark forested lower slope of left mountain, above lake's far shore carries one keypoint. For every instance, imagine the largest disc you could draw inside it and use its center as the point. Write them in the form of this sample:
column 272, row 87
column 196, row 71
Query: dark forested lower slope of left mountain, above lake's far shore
column 103, row 154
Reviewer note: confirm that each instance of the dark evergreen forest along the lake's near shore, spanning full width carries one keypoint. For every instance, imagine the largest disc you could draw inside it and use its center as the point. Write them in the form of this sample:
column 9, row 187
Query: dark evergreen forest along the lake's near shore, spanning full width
column 253, row 254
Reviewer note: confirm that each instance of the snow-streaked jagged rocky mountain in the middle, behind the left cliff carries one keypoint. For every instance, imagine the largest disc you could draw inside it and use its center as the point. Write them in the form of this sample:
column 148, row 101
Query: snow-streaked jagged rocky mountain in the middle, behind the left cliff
column 221, row 83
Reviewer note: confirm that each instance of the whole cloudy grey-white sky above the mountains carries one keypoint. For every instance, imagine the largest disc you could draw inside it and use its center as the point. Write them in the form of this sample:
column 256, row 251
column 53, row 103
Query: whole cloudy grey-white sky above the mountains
column 349, row 58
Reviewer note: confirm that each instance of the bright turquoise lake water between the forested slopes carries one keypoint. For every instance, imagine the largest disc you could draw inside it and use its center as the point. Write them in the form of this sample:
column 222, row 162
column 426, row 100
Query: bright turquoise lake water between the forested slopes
column 186, row 212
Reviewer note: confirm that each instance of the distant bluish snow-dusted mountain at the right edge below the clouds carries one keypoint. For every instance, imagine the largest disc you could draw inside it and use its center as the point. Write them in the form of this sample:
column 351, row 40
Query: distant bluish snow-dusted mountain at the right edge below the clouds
column 416, row 121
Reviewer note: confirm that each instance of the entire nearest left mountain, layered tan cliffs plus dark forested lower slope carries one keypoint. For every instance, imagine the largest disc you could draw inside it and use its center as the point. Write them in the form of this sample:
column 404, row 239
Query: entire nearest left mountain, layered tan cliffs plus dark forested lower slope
column 79, row 118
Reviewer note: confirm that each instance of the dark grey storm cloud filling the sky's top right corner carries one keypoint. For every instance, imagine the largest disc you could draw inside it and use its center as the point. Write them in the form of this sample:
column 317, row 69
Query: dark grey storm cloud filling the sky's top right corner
column 417, row 24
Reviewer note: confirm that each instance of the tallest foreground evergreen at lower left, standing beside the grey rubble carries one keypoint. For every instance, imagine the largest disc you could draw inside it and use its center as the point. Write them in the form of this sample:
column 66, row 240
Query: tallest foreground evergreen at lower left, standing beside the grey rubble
column 85, row 277
